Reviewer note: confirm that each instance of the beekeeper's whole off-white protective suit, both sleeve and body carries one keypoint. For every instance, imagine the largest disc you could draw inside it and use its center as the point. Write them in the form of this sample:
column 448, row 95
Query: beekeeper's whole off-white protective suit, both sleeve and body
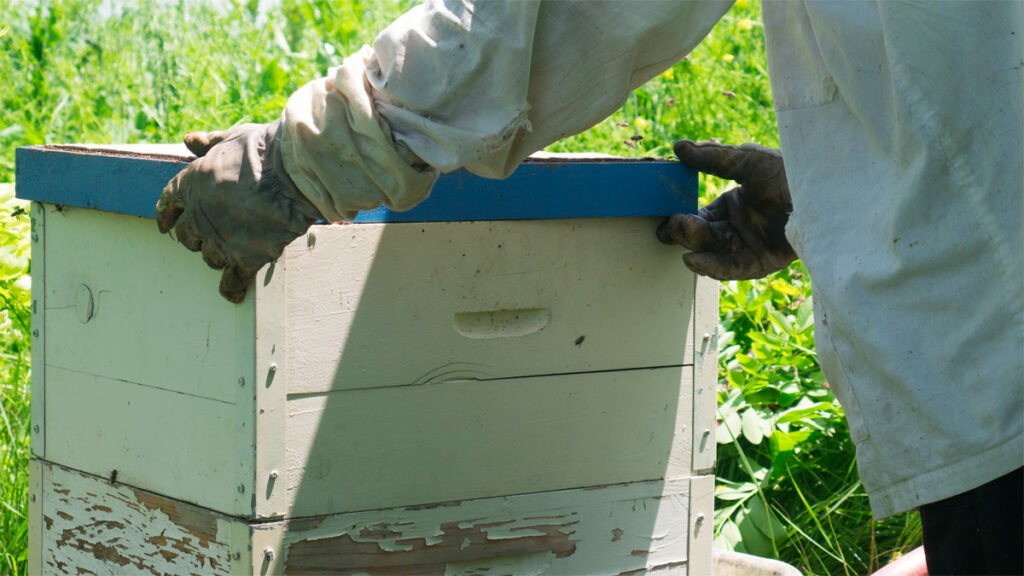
column 902, row 128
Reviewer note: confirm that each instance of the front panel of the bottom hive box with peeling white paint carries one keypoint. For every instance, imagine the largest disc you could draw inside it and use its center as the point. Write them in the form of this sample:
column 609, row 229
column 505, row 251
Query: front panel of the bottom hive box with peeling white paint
column 563, row 532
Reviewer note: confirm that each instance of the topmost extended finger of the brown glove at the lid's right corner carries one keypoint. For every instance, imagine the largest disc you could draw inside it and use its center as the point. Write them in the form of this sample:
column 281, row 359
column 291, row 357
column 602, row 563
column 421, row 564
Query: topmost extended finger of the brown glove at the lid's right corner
column 743, row 163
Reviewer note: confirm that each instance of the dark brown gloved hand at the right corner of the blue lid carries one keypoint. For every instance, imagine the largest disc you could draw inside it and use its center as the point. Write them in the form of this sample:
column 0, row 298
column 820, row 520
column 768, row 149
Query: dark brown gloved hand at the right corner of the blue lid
column 742, row 234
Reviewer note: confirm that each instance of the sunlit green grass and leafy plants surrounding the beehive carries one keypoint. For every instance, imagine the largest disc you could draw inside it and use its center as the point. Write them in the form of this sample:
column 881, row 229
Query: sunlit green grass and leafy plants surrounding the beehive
column 151, row 71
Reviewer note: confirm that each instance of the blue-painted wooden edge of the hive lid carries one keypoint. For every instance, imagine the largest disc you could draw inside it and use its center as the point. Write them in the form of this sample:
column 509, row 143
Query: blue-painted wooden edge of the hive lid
column 538, row 190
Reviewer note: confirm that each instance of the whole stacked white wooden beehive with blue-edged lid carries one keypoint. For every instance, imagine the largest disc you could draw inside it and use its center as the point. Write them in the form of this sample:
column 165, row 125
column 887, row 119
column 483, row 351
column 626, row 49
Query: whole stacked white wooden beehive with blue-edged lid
column 514, row 379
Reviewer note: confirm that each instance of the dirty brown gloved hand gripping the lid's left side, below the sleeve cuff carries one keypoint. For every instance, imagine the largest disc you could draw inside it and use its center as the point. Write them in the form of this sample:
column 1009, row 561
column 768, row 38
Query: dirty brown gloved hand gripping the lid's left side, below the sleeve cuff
column 236, row 203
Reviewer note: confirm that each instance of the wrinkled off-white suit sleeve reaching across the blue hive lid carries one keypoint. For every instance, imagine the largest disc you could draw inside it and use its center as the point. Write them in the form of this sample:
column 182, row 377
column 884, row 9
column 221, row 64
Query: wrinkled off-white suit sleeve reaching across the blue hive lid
column 476, row 86
